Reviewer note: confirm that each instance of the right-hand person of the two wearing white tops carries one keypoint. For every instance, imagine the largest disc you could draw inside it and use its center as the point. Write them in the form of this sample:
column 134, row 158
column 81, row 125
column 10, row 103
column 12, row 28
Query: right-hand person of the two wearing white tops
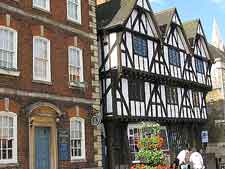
column 197, row 160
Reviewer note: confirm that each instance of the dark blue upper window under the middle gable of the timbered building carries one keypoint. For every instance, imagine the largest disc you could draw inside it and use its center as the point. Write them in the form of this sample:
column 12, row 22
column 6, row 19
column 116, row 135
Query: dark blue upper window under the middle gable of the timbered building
column 174, row 56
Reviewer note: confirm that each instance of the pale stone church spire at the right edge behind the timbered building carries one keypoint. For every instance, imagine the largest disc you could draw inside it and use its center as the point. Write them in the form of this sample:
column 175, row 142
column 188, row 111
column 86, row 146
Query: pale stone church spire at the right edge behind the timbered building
column 217, row 40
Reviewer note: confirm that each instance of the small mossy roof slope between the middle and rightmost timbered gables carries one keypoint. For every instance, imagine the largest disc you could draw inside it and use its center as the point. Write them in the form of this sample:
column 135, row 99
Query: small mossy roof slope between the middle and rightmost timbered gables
column 191, row 28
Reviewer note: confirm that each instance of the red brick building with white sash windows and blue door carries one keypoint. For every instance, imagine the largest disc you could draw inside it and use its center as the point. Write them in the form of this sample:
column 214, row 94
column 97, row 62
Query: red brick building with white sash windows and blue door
column 49, row 88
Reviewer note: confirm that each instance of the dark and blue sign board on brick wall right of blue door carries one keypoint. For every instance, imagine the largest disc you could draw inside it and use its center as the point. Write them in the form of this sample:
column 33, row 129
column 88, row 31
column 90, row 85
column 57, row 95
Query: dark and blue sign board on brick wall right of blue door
column 64, row 144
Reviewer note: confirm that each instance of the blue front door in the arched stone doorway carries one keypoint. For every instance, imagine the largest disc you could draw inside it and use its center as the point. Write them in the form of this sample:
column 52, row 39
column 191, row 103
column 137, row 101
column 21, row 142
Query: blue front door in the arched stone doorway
column 42, row 148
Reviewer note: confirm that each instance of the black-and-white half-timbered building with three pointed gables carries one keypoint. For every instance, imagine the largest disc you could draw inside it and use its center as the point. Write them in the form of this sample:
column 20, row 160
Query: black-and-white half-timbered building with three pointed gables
column 150, row 71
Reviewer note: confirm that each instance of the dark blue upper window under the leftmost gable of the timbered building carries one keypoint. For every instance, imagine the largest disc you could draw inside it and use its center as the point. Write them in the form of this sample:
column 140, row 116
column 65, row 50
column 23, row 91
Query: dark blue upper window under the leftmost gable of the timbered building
column 140, row 46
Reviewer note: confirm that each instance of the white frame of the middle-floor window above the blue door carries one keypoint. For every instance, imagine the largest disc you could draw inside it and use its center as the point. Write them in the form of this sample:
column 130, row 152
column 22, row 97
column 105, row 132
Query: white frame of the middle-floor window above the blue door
column 48, row 69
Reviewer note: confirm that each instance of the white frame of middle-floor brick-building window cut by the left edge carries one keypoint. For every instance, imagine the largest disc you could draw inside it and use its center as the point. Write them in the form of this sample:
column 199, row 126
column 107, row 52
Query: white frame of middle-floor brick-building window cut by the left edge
column 15, row 36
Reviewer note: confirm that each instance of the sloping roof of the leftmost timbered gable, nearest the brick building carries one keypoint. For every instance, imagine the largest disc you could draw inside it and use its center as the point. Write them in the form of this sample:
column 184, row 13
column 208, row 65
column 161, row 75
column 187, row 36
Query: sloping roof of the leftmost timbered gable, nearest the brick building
column 114, row 13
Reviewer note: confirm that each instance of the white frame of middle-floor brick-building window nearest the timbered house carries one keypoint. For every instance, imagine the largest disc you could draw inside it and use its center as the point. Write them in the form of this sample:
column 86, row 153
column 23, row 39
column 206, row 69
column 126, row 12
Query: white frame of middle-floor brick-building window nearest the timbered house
column 81, row 64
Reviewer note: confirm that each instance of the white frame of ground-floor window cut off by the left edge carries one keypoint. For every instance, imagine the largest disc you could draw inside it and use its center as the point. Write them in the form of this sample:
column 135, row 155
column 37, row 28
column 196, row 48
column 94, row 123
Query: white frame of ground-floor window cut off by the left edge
column 14, row 144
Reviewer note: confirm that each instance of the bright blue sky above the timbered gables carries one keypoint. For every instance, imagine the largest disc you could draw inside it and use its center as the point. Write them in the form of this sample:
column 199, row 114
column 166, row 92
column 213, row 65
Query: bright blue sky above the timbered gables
column 206, row 10
